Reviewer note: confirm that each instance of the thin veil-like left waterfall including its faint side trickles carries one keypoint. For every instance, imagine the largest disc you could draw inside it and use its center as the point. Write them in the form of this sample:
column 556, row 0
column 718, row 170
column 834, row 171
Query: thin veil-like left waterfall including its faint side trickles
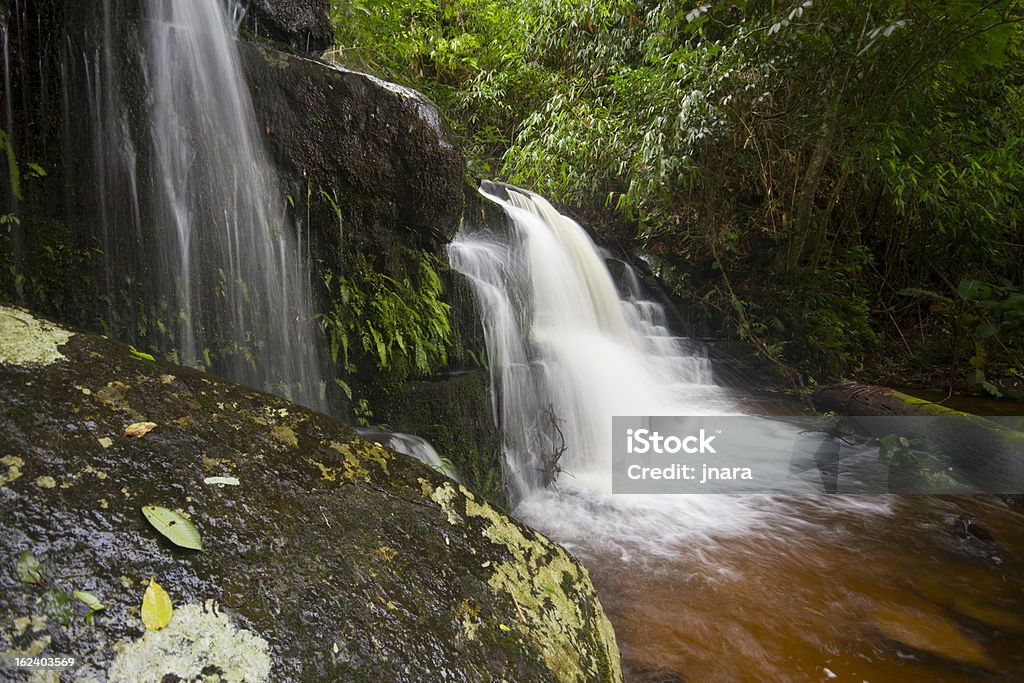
column 197, row 244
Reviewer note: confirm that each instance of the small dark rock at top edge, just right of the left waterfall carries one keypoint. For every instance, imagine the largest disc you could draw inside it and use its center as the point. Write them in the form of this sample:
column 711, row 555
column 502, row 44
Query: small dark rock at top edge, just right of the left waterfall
column 301, row 26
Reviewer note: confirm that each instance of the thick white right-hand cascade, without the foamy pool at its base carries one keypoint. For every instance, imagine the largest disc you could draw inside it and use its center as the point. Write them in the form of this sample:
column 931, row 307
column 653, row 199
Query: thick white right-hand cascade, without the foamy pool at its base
column 568, row 352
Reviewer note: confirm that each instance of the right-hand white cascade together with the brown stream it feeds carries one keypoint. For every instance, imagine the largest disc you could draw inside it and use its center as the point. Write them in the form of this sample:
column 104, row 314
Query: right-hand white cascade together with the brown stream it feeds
column 717, row 588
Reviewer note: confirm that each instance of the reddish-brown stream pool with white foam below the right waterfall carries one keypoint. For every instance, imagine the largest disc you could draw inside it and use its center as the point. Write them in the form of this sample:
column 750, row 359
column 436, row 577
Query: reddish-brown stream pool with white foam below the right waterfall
column 812, row 588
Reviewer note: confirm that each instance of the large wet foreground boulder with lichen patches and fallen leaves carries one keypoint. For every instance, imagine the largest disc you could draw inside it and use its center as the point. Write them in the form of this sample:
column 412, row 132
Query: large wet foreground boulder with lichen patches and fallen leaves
column 334, row 560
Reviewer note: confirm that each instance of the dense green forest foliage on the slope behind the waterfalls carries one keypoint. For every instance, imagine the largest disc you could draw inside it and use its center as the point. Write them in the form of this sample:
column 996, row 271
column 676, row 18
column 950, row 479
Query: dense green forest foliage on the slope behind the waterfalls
column 839, row 184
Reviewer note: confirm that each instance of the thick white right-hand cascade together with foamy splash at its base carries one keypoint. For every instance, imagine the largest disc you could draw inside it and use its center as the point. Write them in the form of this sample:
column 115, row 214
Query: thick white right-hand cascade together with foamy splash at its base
column 561, row 334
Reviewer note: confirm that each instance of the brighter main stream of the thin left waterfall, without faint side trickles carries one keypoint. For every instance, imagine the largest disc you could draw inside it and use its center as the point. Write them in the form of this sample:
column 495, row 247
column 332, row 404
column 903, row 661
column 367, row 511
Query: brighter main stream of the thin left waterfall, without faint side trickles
column 220, row 200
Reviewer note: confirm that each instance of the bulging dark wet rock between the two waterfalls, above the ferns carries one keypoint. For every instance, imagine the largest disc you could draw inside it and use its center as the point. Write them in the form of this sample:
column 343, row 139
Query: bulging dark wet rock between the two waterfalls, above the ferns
column 379, row 151
